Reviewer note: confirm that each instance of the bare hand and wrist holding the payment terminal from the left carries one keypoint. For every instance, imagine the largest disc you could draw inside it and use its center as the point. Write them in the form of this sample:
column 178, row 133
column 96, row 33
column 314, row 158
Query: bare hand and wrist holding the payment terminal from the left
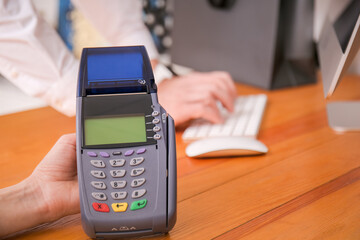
column 49, row 193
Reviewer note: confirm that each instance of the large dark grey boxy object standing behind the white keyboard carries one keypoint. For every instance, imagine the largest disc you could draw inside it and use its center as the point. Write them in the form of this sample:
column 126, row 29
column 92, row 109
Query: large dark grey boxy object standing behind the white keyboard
column 265, row 43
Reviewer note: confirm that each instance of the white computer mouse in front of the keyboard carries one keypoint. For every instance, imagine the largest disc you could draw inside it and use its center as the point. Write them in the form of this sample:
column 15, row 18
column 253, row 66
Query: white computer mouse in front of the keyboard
column 225, row 147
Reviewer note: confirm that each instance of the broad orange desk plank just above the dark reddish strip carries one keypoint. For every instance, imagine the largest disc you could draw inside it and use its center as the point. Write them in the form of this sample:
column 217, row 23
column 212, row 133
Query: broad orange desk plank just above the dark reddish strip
column 224, row 207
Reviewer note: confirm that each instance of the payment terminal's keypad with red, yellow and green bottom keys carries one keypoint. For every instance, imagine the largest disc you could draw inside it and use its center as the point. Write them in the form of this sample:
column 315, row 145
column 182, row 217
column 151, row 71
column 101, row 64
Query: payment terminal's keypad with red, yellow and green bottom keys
column 109, row 168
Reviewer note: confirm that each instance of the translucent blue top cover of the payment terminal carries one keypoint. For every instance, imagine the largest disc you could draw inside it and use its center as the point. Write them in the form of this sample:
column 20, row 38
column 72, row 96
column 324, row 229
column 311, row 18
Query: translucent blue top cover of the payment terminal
column 114, row 70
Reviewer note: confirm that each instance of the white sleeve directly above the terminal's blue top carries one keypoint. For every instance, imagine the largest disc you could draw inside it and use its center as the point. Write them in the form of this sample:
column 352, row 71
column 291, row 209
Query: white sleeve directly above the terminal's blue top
column 119, row 22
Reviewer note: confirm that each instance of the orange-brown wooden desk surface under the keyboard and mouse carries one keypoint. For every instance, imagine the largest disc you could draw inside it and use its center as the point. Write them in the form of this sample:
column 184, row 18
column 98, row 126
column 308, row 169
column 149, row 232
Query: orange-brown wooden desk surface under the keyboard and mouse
column 306, row 187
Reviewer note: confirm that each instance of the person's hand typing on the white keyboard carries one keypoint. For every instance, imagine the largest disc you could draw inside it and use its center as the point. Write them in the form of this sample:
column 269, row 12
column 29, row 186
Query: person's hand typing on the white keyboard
column 195, row 96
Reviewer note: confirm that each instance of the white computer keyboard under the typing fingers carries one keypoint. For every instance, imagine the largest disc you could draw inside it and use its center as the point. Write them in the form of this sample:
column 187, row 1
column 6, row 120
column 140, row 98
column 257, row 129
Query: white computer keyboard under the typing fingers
column 243, row 122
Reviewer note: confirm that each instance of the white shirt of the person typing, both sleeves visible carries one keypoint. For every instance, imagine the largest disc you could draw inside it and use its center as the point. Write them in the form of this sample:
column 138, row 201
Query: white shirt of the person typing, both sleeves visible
column 35, row 59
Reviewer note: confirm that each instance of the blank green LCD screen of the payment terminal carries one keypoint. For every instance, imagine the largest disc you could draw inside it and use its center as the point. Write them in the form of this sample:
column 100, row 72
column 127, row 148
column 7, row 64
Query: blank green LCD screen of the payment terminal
column 115, row 130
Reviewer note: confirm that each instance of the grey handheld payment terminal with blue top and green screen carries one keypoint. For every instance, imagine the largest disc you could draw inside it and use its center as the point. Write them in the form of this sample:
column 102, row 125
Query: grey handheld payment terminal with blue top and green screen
column 126, row 159
